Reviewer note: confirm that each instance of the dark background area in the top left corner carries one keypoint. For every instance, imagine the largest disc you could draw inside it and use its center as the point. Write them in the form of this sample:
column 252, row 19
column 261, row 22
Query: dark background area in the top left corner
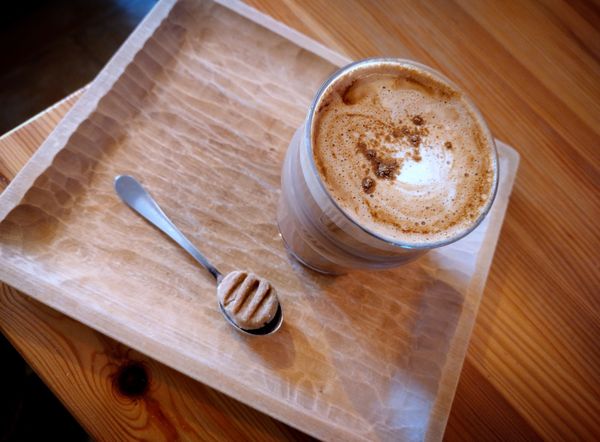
column 52, row 48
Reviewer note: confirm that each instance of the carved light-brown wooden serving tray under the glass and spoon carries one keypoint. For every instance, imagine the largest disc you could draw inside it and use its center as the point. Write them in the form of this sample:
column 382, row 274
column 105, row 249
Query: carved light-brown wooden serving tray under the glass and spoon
column 200, row 104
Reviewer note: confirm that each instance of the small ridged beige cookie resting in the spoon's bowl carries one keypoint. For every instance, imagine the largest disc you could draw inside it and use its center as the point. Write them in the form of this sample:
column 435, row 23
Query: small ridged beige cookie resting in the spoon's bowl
column 250, row 301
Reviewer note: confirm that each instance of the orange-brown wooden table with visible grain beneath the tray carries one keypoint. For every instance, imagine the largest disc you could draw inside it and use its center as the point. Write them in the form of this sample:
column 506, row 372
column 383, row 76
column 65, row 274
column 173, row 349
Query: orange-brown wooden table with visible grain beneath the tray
column 533, row 366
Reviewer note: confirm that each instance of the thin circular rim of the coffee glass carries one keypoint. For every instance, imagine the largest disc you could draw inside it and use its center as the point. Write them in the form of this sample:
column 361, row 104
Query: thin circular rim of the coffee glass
column 308, row 130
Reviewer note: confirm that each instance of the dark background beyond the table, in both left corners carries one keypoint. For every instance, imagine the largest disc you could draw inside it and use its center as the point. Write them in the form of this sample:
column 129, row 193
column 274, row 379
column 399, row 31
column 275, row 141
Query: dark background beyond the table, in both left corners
column 48, row 50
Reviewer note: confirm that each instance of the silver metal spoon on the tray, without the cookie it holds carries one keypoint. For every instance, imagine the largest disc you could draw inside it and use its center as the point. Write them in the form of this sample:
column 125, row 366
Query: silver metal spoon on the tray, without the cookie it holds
column 135, row 196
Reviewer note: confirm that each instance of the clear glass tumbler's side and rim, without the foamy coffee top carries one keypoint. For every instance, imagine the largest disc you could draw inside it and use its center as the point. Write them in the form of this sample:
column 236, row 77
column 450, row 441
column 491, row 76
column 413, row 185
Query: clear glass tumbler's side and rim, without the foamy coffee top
column 316, row 231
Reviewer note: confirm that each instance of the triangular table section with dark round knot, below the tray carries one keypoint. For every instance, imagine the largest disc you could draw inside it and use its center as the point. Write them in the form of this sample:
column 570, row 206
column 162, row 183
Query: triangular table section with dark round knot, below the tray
column 99, row 380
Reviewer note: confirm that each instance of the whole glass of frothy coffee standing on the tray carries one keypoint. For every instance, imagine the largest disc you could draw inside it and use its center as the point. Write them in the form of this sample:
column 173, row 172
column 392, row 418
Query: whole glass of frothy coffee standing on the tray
column 392, row 160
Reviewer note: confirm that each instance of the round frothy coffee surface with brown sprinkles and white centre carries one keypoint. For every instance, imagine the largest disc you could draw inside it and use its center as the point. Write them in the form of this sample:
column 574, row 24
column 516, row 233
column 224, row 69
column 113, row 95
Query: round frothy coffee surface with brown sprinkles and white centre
column 403, row 153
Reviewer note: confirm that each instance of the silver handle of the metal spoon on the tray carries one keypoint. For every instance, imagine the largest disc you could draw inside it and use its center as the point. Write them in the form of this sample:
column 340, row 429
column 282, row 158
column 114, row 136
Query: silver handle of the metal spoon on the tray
column 135, row 196
